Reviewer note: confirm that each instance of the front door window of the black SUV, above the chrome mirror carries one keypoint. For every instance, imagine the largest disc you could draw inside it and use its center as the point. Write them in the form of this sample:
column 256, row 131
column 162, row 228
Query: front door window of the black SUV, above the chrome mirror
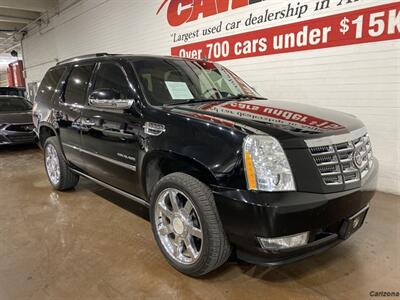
column 111, row 76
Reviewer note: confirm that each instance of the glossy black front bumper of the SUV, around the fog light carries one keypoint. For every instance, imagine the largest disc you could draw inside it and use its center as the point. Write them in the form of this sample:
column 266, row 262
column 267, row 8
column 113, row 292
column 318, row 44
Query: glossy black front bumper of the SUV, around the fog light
column 247, row 215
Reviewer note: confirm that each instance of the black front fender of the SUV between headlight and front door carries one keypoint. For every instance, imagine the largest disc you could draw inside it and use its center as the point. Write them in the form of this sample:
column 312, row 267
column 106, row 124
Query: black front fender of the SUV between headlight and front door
column 213, row 147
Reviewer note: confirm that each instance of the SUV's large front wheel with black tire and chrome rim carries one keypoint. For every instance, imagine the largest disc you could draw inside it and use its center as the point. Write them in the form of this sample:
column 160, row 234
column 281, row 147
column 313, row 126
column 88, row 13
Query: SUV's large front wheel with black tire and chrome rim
column 186, row 225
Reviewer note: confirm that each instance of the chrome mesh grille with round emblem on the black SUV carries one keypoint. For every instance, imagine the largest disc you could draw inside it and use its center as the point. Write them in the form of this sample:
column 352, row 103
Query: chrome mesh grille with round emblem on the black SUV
column 345, row 162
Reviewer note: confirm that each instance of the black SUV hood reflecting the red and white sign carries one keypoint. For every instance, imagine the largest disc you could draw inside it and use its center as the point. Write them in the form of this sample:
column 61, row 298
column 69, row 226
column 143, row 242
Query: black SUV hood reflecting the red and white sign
column 284, row 120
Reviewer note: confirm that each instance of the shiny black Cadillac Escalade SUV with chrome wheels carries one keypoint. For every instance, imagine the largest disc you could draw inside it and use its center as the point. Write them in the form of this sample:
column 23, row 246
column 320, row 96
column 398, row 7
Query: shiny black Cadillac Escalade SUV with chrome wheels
column 223, row 170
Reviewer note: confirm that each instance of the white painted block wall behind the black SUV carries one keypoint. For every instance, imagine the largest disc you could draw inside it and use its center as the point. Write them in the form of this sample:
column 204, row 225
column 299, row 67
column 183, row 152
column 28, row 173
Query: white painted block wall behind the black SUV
column 360, row 79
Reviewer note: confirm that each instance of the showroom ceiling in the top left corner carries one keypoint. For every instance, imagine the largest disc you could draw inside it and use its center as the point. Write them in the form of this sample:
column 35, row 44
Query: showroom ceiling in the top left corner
column 15, row 16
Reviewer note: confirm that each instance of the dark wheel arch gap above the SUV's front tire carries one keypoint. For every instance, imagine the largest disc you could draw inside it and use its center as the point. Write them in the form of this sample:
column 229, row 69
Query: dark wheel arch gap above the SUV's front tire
column 158, row 164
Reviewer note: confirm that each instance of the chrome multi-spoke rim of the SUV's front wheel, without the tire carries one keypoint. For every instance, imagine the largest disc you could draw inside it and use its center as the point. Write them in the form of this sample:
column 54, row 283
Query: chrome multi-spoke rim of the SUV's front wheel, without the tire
column 178, row 226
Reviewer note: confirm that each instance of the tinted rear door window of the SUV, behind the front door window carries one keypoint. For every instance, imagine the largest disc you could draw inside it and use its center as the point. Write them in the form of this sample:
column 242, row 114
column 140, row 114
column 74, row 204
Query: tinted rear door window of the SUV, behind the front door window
column 75, row 92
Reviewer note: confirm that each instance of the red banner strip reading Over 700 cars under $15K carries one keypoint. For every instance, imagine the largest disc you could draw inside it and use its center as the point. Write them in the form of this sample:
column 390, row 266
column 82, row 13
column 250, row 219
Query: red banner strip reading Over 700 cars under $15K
column 379, row 23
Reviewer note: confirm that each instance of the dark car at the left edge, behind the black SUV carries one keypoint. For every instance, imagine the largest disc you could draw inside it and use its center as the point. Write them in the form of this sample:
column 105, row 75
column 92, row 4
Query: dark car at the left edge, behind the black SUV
column 16, row 125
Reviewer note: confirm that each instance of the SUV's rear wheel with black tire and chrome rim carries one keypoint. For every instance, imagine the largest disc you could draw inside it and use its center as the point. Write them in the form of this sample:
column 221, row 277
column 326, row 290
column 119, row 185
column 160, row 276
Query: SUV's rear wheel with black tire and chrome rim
column 60, row 175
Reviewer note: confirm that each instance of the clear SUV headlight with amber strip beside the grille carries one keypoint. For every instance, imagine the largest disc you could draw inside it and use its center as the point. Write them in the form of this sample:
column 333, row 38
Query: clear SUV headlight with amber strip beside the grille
column 266, row 165
